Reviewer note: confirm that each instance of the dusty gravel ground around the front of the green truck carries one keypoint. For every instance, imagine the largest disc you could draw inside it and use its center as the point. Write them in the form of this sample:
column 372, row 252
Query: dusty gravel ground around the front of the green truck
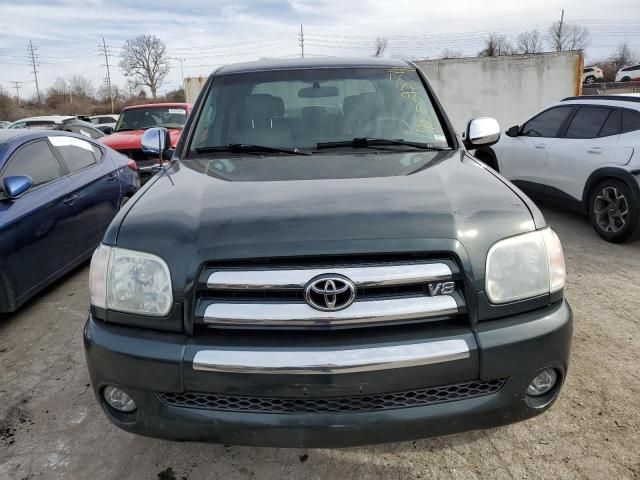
column 52, row 428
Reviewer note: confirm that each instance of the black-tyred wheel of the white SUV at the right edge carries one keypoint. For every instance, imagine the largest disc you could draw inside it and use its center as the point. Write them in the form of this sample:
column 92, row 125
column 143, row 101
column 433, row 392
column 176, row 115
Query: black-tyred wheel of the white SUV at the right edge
column 613, row 214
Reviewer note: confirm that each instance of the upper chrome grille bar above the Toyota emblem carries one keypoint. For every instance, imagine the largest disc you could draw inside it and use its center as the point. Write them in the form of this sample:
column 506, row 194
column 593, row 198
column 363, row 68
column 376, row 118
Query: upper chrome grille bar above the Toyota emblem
column 373, row 276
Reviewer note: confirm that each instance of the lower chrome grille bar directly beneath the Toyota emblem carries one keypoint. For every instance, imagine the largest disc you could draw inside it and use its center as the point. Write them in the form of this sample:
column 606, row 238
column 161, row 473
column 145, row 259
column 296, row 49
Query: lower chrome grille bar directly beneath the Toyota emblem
column 301, row 314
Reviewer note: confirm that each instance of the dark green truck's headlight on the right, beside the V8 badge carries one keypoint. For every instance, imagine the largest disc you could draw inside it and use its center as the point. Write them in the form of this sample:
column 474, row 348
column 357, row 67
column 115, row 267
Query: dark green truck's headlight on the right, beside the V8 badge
column 524, row 266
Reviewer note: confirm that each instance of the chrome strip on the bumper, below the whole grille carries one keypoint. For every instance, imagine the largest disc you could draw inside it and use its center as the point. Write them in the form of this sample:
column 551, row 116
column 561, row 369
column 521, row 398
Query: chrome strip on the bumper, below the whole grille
column 327, row 361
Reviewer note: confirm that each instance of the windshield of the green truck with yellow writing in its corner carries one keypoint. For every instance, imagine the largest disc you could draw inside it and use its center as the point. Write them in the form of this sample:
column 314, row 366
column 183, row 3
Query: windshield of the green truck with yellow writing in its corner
column 300, row 109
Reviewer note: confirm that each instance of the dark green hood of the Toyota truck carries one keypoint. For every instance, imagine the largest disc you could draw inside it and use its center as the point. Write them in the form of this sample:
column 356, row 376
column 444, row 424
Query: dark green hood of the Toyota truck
column 233, row 208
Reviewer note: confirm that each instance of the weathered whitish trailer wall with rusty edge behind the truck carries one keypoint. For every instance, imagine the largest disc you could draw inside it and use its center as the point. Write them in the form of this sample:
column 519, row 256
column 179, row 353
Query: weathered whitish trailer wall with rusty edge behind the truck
column 510, row 88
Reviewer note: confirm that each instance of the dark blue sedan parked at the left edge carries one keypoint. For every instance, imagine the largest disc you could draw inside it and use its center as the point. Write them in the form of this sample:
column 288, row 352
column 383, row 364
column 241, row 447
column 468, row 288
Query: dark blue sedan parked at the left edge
column 59, row 192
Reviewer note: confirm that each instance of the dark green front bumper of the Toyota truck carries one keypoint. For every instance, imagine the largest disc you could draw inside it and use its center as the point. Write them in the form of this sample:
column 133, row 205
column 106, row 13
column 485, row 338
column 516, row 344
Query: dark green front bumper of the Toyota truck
column 144, row 362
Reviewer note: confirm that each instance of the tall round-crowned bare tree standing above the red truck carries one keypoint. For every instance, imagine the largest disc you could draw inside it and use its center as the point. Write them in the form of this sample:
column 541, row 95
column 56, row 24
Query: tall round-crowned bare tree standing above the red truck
column 145, row 62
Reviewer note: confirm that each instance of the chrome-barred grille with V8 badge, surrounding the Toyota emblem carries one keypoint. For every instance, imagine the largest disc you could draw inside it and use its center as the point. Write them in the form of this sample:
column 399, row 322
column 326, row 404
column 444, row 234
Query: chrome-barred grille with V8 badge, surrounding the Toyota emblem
column 265, row 296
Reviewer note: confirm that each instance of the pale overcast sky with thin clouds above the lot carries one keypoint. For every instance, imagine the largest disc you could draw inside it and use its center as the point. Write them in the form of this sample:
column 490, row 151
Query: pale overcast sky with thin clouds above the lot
column 207, row 33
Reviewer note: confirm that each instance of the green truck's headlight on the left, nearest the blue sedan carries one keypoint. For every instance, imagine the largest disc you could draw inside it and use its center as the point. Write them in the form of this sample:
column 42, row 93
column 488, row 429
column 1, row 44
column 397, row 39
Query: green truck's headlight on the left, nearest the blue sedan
column 130, row 281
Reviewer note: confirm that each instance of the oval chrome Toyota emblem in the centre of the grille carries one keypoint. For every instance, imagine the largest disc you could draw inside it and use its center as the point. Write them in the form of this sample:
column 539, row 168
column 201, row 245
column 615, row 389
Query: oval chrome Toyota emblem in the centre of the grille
column 330, row 293
